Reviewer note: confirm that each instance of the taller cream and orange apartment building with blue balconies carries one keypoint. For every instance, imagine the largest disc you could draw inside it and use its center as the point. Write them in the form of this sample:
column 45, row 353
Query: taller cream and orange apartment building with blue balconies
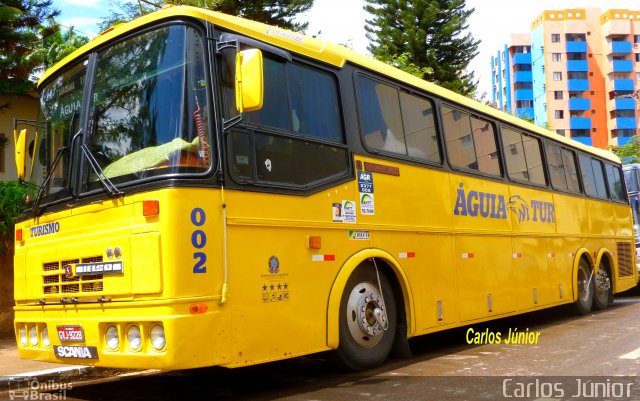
column 585, row 74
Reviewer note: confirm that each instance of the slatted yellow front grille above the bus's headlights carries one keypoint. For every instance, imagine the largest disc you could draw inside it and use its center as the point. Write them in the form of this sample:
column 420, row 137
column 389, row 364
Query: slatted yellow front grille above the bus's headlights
column 54, row 280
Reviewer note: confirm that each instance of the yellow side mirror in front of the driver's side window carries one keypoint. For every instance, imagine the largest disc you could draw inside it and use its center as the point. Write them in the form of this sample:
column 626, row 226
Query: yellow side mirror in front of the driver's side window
column 249, row 80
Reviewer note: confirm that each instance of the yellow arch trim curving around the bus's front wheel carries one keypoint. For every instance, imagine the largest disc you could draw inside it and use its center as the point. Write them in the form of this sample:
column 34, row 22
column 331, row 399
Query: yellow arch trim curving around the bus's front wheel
column 398, row 279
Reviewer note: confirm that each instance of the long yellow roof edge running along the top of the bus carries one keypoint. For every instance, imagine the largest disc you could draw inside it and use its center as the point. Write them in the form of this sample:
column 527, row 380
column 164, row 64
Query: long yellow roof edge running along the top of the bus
column 327, row 52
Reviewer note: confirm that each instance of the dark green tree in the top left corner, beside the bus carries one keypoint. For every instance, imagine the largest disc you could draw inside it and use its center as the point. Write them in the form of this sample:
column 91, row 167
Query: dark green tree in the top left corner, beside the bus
column 23, row 23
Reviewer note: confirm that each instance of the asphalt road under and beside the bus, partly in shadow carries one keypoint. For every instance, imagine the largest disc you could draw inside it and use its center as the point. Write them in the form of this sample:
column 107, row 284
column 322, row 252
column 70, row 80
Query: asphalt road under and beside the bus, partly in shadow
column 589, row 357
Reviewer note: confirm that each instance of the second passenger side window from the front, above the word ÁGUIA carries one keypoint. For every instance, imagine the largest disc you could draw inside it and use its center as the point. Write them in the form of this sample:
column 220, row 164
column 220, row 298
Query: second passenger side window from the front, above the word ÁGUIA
column 471, row 142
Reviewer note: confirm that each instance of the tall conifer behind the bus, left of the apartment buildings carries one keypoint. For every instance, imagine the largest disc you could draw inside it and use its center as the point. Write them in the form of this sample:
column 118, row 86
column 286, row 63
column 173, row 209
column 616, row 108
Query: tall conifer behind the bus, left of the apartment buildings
column 431, row 33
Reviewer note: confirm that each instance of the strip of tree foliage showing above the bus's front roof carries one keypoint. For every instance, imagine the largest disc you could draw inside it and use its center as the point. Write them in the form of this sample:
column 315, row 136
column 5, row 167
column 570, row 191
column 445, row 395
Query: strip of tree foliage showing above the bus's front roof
column 281, row 13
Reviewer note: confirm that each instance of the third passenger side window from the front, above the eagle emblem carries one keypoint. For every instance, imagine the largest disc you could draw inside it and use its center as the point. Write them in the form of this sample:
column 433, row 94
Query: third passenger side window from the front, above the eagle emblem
column 523, row 156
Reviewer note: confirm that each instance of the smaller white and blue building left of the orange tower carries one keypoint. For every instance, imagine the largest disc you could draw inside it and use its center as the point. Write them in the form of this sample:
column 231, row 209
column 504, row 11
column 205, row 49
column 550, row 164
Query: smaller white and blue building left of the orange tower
column 511, row 79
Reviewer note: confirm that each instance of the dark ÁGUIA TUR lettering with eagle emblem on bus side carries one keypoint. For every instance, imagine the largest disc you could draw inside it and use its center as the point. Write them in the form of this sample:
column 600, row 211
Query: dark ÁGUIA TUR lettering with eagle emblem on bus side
column 494, row 206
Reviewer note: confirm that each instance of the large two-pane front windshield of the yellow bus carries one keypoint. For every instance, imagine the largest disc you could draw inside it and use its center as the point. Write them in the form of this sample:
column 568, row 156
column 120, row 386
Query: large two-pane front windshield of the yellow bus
column 147, row 114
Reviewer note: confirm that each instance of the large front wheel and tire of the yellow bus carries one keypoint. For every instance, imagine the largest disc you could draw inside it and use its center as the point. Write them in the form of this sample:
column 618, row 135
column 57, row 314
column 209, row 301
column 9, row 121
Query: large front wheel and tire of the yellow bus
column 363, row 341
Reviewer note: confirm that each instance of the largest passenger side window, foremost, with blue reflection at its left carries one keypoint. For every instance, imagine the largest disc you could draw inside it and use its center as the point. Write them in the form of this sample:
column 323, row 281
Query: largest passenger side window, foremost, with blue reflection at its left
column 397, row 122
